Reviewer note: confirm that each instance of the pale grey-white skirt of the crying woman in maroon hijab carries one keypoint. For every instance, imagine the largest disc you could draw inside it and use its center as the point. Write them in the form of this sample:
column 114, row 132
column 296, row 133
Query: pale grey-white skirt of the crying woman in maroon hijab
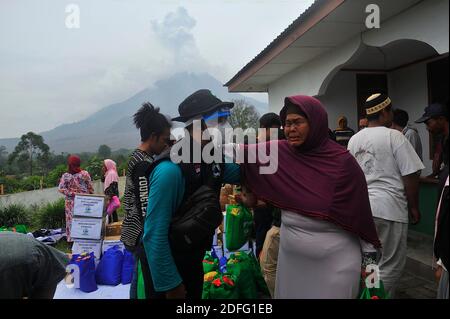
column 317, row 260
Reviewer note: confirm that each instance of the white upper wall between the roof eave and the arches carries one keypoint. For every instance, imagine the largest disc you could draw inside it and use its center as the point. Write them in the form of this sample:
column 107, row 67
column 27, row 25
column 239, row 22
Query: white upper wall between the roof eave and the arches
column 421, row 23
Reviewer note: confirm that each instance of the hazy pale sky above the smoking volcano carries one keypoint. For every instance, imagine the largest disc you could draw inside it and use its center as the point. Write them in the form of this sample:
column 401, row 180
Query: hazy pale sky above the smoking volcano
column 50, row 74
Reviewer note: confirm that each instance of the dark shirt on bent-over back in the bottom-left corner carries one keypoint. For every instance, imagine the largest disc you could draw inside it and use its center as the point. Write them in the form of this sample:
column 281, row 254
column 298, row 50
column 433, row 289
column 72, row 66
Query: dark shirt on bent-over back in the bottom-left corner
column 27, row 265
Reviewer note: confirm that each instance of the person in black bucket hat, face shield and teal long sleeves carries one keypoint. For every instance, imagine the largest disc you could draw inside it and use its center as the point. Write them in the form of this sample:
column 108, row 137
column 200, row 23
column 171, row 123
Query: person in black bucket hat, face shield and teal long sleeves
column 178, row 272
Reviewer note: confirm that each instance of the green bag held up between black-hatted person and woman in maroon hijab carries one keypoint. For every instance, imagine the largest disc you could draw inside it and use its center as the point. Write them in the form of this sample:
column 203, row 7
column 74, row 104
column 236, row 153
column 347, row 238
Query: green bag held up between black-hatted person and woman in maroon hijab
column 238, row 227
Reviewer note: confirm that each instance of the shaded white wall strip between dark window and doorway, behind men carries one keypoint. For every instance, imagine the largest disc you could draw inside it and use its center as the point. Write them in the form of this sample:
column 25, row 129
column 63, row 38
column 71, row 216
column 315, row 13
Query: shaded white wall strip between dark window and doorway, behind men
column 408, row 89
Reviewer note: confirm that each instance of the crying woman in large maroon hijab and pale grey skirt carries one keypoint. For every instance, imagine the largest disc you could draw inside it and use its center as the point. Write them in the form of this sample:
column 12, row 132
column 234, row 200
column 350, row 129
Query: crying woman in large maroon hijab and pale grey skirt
column 327, row 222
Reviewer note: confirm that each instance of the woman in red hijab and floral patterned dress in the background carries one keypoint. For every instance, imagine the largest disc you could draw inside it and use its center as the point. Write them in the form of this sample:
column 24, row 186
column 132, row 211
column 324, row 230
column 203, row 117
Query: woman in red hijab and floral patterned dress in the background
column 75, row 181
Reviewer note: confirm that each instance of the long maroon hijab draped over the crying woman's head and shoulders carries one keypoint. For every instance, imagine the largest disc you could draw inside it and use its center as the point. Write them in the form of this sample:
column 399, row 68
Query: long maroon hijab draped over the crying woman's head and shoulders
column 319, row 179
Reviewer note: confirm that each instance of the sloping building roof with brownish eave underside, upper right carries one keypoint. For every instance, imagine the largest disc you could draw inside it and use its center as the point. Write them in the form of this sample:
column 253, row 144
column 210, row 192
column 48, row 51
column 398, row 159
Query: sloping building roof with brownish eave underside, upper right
column 322, row 27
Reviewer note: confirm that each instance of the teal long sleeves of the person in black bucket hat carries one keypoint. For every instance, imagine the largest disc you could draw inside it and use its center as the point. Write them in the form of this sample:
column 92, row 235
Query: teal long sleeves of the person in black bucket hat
column 166, row 191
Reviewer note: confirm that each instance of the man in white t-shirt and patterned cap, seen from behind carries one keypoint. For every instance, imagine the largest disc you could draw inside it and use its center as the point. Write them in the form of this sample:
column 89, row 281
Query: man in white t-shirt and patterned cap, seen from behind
column 391, row 167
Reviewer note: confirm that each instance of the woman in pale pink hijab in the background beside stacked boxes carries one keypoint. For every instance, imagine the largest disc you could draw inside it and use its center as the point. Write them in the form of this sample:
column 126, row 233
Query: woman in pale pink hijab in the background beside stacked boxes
column 111, row 188
